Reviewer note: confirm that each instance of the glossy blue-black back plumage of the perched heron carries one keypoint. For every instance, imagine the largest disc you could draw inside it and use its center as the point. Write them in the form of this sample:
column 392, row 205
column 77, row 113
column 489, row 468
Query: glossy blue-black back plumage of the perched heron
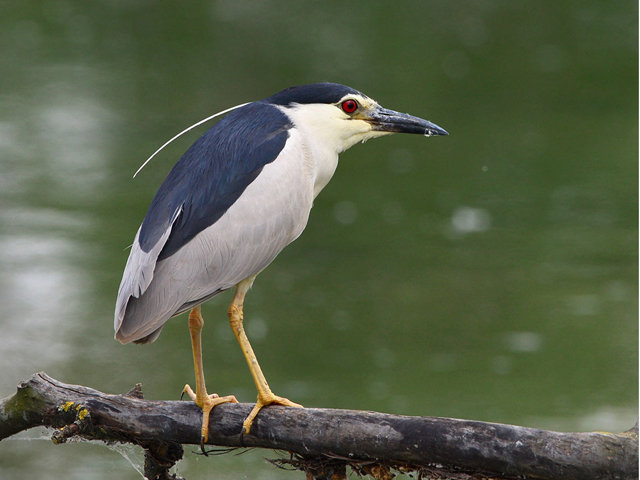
column 213, row 173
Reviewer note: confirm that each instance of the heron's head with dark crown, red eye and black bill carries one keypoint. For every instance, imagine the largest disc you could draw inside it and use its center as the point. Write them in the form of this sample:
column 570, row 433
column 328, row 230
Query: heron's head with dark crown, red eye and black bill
column 341, row 116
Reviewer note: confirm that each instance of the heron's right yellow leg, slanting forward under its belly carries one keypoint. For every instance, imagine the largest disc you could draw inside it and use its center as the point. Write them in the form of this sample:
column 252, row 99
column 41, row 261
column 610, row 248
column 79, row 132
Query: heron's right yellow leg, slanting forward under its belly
column 265, row 395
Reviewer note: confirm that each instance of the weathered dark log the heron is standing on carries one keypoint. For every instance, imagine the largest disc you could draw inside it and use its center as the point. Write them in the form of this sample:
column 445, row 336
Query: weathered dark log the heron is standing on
column 323, row 442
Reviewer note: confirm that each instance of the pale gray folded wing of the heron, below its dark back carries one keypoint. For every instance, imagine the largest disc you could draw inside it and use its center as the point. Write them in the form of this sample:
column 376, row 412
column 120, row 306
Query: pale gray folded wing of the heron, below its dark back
column 270, row 214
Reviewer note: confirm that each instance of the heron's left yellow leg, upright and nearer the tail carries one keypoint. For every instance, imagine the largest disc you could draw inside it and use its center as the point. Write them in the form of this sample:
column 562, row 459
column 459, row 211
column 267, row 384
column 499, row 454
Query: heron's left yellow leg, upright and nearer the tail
column 205, row 401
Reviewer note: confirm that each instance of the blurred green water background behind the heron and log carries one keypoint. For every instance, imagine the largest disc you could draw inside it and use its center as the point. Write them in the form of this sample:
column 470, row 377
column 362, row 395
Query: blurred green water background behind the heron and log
column 487, row 275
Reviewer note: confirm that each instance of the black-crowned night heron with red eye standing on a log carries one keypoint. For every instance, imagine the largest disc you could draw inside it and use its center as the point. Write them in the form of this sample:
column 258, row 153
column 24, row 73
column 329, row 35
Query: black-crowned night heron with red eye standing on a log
column 238, row 196
